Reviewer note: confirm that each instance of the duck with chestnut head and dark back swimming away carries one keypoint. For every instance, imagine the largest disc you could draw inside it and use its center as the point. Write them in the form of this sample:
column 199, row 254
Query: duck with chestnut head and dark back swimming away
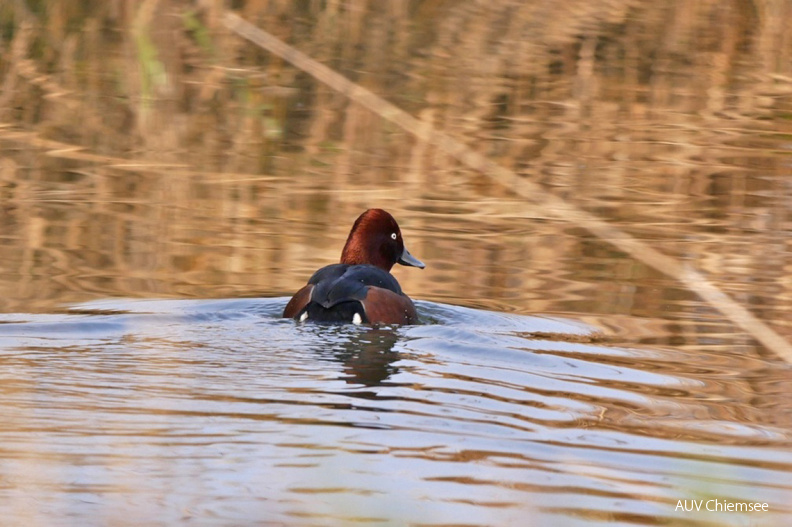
column 360, row 289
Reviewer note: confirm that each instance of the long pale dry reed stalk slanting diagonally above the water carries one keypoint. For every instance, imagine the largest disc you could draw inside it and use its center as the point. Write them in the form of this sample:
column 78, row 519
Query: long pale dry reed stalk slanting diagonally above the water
column 543, row 201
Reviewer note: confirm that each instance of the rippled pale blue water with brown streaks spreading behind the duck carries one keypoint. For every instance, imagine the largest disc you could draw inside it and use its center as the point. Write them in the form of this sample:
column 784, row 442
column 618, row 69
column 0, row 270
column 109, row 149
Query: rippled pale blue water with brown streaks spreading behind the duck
column 178, row 410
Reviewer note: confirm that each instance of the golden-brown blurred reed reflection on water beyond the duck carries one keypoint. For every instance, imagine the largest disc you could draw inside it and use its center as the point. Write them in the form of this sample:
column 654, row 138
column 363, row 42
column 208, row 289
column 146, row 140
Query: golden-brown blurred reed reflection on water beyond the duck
column 667, row 119
